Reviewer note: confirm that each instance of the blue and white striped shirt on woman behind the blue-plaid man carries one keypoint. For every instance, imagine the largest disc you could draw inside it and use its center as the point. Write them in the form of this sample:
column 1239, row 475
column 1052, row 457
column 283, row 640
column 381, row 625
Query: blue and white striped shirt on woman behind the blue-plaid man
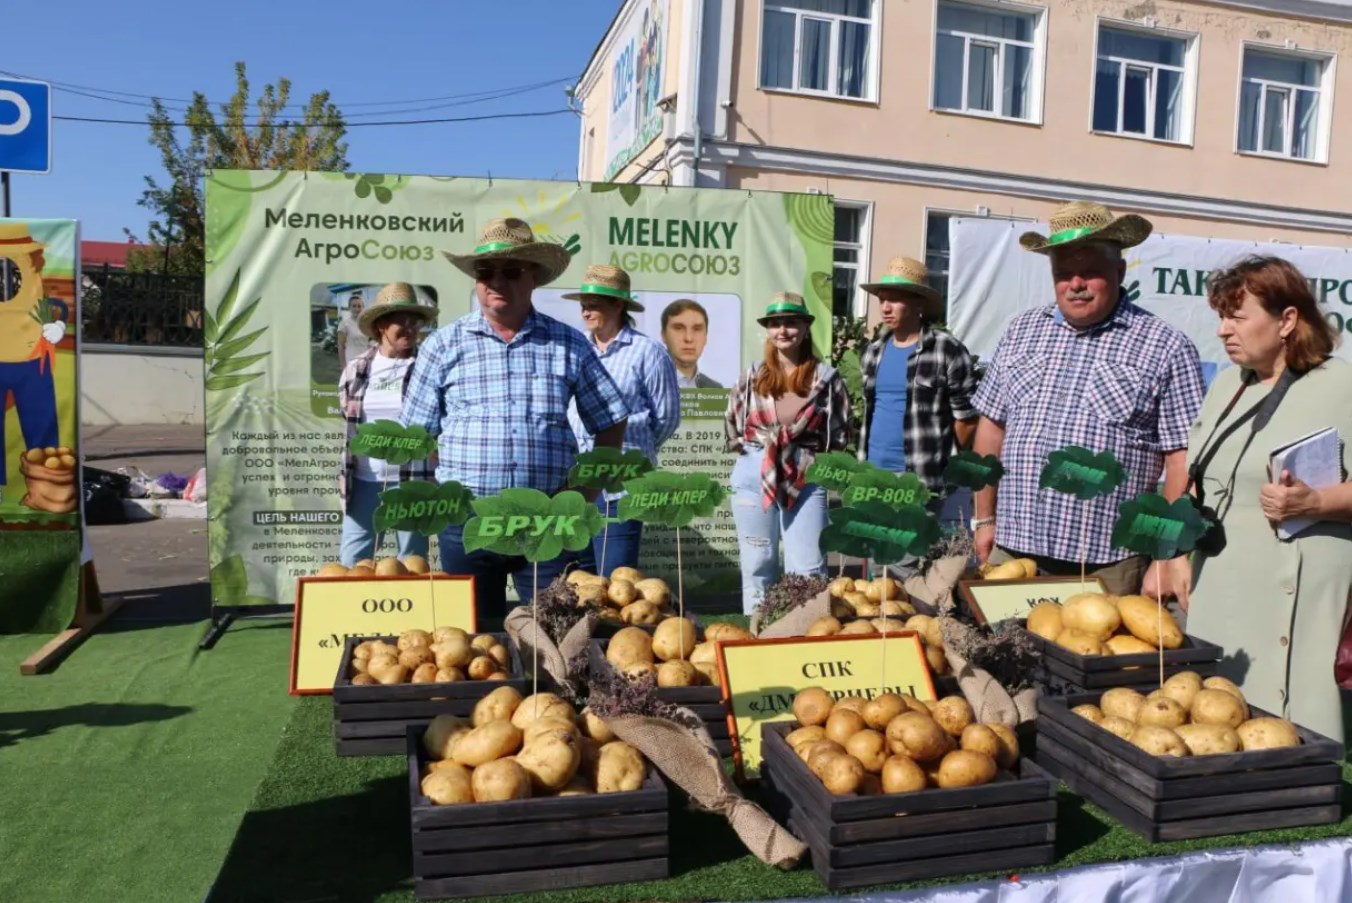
column 647, row 379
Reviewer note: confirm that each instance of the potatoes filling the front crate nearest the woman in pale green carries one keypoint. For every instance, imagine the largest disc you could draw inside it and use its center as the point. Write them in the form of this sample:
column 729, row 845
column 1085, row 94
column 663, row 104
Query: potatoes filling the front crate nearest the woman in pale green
column 1189, row 717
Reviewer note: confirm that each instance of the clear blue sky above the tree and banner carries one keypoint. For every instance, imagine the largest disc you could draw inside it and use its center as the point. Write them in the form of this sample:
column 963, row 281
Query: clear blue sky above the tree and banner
column 386, row 52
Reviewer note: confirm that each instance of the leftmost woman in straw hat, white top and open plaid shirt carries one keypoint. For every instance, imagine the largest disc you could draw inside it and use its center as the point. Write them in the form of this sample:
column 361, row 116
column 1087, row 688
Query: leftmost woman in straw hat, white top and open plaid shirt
column 372, row 389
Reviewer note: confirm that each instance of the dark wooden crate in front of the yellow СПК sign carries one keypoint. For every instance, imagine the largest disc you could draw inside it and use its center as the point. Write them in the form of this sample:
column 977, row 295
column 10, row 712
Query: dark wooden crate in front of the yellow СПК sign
column 858, row 841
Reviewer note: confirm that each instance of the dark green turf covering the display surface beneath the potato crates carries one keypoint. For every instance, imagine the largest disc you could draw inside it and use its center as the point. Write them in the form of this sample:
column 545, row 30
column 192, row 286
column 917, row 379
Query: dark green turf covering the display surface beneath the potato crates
column 328, row 828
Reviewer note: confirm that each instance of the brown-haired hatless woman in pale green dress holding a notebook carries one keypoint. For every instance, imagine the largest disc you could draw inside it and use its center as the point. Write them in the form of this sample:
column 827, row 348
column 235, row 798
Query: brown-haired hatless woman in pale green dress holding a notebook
column 1276, row 605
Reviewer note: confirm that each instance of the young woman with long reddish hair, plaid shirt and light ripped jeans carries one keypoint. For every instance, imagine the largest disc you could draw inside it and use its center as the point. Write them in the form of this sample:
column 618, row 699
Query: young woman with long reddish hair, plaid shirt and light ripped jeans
column 785, row 412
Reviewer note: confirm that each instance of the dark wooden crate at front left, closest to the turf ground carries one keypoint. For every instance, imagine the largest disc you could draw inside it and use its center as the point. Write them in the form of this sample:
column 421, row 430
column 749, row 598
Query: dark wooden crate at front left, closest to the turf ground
column 529, row 846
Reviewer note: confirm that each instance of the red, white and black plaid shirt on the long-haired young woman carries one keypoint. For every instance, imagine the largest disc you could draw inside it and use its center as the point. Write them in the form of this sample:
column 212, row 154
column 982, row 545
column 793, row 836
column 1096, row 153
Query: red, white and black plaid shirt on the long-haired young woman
column 823, row 425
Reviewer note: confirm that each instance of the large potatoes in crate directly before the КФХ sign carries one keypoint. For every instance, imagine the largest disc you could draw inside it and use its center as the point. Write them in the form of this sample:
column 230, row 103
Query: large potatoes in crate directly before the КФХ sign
column 1092, row 624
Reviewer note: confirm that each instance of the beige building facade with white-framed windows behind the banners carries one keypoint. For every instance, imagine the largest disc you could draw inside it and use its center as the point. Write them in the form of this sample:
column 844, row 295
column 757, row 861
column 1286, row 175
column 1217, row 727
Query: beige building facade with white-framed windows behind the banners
column 1226, row 120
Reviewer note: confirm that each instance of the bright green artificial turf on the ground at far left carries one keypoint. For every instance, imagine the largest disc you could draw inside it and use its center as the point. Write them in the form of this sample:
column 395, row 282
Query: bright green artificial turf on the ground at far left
column 126, row 771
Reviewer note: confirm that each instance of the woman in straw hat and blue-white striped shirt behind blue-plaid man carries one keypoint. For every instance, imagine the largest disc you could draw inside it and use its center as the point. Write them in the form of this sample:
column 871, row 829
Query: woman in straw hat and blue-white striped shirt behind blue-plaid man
column 646, row 376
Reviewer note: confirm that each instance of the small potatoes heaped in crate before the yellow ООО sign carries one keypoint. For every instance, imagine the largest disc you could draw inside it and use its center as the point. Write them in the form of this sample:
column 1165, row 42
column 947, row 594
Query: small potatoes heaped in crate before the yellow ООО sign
column 444, row 656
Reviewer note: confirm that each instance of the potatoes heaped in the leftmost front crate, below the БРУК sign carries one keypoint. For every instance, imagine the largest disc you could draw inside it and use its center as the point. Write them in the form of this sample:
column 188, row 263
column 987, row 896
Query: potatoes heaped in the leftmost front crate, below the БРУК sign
column 514, row 748
